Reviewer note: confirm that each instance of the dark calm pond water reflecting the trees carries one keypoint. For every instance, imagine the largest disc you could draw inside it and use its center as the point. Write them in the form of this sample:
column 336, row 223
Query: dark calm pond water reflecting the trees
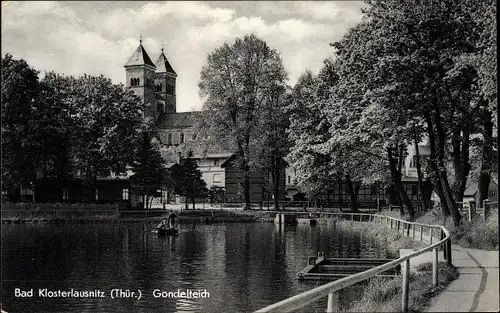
column 244, row 267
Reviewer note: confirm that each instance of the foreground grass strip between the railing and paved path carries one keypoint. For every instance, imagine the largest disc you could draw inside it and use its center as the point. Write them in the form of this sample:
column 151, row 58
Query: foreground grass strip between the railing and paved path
column 384, row 294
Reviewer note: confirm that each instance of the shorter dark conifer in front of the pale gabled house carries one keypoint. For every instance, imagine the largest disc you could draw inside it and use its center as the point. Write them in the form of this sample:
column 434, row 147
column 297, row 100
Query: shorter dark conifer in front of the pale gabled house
column 189, row 181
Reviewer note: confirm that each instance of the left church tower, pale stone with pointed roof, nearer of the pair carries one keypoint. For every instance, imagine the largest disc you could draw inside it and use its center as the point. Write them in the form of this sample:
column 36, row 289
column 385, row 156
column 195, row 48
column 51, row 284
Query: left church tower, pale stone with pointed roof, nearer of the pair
column 140, row 75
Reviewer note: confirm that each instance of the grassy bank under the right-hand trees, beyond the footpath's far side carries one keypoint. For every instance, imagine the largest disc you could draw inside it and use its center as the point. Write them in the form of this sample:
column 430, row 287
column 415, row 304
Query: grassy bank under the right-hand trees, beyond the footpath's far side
column 478, row 234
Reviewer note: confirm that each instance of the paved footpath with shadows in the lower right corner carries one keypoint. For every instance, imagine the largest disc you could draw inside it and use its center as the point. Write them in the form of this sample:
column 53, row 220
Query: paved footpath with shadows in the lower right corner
column 476, row 289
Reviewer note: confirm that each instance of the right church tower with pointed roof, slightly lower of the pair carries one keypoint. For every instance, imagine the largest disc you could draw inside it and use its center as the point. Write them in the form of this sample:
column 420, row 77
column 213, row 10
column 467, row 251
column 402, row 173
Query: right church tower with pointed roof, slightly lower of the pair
column 165, row 89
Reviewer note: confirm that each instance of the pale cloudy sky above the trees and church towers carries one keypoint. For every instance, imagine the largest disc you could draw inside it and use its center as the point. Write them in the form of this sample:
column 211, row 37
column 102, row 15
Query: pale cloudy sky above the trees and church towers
column 99, row 37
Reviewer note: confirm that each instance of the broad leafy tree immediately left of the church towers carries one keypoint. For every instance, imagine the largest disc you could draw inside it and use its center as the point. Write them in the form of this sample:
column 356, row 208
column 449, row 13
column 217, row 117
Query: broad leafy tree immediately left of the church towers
column 108, row 120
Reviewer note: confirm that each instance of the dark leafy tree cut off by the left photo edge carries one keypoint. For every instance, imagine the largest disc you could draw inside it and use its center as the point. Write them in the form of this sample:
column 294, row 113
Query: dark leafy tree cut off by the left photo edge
column 20, row 89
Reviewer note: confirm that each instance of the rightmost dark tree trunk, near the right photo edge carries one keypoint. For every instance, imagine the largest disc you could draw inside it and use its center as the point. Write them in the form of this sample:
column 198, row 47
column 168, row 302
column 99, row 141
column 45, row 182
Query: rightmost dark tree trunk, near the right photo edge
column 486, row 158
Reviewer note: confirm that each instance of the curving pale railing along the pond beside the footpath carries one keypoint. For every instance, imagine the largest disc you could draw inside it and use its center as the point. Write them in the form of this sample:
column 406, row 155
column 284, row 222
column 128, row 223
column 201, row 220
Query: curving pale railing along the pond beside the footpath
column 329, row 289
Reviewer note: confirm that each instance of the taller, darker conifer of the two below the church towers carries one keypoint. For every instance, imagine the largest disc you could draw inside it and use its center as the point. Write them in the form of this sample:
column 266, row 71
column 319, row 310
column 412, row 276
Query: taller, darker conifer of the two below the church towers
column 150, row 173
